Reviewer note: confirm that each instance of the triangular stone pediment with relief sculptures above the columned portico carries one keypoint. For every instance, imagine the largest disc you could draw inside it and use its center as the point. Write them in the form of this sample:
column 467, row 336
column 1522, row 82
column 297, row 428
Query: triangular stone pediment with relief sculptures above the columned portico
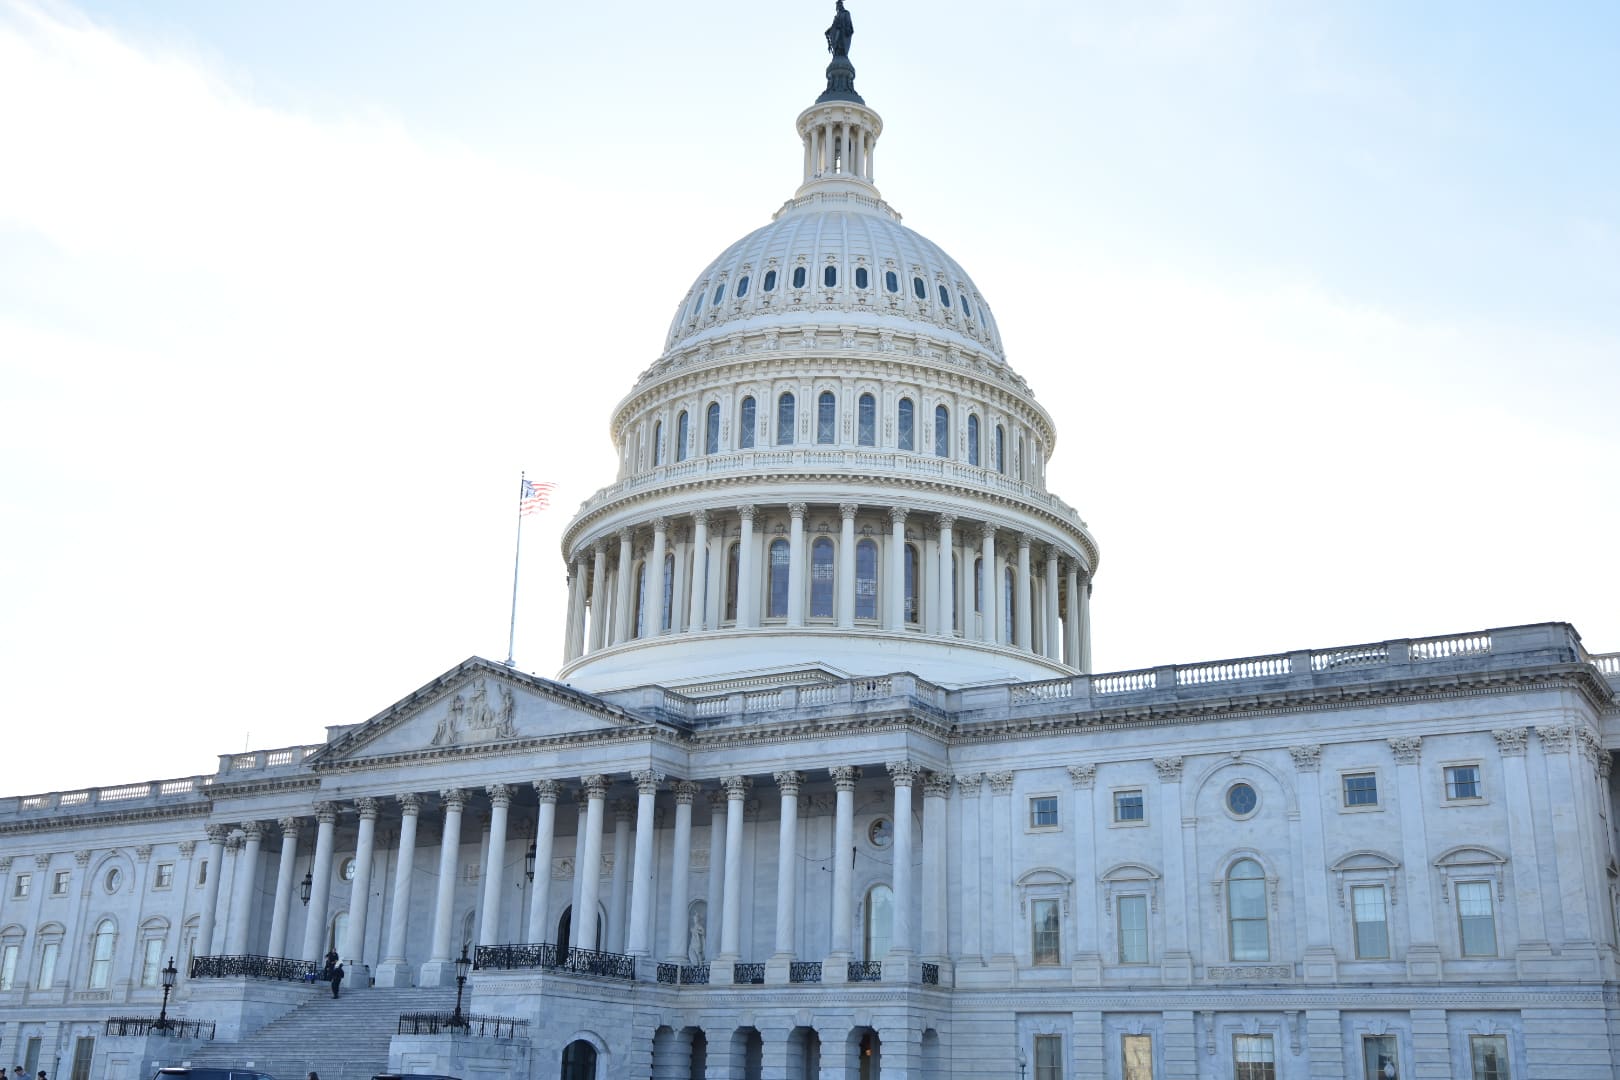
column 479, row 705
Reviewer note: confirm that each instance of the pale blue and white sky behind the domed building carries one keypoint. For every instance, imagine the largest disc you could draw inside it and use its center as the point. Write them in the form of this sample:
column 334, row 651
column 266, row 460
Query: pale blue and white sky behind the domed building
column 1323, row 299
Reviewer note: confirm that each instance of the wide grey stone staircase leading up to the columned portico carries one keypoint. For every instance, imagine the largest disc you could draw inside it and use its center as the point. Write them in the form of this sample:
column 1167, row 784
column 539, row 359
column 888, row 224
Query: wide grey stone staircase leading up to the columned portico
column 344, row 1039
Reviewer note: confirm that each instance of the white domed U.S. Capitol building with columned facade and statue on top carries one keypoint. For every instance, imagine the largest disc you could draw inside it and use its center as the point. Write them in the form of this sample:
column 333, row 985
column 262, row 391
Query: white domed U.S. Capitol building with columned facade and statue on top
column 827, row 788
